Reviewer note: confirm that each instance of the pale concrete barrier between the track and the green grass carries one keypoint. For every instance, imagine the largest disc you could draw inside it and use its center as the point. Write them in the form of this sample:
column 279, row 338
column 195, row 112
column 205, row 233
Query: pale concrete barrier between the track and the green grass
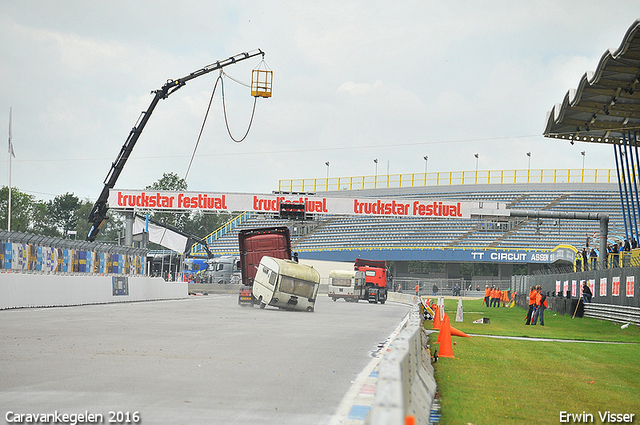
column 406, row 386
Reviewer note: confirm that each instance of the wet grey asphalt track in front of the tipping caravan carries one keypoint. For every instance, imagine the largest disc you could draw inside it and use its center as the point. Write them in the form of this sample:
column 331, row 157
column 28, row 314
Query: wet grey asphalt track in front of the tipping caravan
column 201, row 360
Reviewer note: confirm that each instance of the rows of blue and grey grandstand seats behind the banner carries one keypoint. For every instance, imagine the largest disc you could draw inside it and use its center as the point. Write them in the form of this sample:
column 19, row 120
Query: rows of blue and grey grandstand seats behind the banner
column 342, row 232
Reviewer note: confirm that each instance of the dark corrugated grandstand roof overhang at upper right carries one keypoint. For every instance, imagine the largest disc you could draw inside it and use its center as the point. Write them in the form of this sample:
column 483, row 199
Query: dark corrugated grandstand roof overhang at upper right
column 606, row 104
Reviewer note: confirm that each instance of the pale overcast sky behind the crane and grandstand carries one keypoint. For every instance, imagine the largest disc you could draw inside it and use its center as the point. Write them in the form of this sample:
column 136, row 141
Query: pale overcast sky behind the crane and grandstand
column 353, row 81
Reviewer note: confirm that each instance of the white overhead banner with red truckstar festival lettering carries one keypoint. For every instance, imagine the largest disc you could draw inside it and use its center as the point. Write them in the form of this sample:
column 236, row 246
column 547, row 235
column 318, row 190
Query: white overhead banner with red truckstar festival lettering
column 265, row 203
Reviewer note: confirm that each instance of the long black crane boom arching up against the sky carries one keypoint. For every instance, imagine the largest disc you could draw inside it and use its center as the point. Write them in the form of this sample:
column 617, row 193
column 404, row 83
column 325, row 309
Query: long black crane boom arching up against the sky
column 99, row 211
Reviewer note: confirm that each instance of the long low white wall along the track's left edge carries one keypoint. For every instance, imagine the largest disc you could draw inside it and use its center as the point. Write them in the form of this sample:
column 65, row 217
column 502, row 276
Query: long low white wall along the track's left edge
column 19, row 290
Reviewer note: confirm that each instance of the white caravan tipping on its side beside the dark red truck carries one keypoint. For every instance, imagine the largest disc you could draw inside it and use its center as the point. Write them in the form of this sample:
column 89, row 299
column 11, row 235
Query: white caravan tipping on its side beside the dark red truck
column 285, row 284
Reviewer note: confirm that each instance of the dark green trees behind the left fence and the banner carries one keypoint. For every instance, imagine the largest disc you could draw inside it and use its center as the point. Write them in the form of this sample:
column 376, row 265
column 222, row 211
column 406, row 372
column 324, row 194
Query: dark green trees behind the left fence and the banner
column 67, row 212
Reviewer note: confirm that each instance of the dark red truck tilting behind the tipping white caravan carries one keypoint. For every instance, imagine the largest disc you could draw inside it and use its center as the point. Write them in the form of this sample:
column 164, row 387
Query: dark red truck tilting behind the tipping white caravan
column 254, row 244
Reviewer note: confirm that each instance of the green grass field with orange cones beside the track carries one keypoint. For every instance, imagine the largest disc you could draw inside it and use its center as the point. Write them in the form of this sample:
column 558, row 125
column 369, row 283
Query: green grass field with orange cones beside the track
column 495, row 381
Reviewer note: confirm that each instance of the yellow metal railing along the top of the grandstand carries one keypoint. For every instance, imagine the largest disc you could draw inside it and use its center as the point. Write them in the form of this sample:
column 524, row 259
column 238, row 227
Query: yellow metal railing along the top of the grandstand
column 448, row 178
